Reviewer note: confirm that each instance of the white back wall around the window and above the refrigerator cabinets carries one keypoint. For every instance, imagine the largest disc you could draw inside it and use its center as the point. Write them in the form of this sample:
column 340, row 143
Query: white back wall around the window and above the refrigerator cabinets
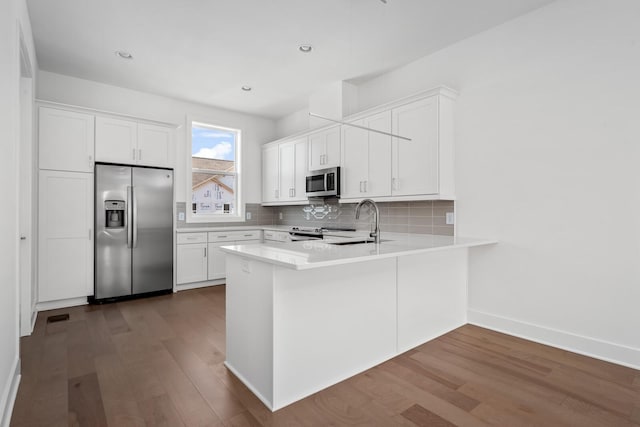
column 85, row 93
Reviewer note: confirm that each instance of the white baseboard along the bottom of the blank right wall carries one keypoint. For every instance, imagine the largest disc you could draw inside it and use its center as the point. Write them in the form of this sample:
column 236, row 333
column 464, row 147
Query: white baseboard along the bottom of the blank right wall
column 592, row 347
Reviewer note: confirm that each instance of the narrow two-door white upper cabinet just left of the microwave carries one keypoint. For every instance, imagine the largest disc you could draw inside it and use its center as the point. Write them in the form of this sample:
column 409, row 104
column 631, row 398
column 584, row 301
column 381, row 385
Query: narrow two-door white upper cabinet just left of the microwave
column 293, row 170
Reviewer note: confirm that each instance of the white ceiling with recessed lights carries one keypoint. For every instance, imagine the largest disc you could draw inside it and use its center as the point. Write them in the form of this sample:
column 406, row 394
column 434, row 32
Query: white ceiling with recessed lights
column 205, row 50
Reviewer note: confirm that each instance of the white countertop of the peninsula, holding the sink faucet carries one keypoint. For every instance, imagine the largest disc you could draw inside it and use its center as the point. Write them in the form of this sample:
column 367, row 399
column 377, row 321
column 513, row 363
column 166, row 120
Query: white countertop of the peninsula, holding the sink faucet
column 316, row 253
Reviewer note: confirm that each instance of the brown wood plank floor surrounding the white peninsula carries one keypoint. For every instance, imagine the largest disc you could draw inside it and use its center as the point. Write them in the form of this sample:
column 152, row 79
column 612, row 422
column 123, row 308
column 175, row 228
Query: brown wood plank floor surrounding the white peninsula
column 159, row 362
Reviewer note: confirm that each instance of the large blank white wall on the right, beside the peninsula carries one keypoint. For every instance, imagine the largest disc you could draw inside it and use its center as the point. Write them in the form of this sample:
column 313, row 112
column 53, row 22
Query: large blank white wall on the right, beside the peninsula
column 548, row 155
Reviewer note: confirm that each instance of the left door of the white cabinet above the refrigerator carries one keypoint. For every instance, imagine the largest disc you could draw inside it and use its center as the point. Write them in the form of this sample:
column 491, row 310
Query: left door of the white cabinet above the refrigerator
column 116, row 140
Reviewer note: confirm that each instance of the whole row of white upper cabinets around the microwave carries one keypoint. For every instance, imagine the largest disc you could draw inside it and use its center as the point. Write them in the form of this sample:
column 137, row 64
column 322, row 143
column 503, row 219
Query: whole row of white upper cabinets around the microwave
column 374, row 165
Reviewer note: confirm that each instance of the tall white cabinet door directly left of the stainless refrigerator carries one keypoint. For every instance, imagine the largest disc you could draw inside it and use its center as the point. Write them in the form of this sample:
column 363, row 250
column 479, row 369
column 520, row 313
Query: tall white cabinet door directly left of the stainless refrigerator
column 65, row 264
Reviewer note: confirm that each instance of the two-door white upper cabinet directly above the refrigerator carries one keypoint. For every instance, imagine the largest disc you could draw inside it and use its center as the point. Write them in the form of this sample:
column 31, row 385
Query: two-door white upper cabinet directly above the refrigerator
column 130, row 142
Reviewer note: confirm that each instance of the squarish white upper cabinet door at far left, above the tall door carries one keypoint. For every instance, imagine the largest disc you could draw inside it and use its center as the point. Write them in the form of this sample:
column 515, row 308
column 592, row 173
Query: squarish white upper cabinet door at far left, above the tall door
column 66, row 140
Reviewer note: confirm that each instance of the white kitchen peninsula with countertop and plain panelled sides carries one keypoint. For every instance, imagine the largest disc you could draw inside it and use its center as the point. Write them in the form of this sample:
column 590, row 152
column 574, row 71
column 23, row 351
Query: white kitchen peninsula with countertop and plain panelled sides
column 302, row 316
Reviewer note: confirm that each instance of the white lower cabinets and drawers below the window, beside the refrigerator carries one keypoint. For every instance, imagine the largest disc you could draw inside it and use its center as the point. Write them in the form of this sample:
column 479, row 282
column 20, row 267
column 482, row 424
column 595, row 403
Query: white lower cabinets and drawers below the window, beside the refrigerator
column 200, row 258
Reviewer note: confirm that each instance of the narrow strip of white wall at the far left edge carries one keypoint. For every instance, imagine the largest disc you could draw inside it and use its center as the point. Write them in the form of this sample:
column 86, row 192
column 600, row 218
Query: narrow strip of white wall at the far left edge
column 13, row 20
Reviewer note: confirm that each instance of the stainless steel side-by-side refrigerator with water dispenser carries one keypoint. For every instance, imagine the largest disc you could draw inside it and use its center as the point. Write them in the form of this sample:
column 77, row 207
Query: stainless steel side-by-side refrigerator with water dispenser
column 134, row 231
